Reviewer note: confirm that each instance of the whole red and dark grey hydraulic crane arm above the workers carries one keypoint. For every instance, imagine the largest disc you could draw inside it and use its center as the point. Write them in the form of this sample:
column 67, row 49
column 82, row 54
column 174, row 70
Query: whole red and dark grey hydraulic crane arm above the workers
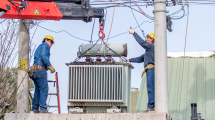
column 50, row 10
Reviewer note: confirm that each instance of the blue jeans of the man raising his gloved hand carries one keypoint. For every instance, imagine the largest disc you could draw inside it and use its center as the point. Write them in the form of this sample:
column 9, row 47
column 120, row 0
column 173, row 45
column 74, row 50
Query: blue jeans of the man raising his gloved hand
column 150, row 76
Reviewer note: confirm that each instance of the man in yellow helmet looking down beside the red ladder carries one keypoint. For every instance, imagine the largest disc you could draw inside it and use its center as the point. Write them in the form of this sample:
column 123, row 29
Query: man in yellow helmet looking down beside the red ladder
column 39, row 74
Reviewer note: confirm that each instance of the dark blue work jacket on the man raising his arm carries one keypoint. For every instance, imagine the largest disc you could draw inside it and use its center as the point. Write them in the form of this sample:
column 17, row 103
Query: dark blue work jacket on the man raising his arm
column 148, row 57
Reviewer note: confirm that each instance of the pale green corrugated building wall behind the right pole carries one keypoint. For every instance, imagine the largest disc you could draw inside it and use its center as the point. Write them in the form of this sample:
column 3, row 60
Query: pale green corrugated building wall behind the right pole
column 198, row 86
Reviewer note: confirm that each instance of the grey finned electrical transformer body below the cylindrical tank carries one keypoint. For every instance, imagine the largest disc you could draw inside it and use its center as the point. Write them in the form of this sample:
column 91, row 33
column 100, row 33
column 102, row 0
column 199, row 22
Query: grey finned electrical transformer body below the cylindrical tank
column 99, row 86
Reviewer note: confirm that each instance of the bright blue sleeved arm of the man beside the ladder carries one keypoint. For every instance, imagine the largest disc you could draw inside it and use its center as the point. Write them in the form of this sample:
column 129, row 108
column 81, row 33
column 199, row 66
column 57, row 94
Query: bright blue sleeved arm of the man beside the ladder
column 45, row 54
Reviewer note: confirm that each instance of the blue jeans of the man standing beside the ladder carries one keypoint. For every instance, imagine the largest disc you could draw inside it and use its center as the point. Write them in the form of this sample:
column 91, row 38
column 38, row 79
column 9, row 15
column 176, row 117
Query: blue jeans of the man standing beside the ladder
column 41, row 90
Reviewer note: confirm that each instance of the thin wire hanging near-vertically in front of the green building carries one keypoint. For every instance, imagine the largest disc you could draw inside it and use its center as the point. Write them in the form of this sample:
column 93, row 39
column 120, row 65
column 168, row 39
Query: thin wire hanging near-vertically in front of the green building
column 183, row 58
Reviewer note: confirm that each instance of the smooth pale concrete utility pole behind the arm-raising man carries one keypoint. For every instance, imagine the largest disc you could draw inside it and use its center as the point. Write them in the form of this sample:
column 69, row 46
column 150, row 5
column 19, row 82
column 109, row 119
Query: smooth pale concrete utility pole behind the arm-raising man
column 161, row 75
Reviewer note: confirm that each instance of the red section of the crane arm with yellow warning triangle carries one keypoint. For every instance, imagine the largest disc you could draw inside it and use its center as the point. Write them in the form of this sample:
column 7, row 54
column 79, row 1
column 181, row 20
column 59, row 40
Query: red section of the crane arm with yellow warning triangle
column 35, row 10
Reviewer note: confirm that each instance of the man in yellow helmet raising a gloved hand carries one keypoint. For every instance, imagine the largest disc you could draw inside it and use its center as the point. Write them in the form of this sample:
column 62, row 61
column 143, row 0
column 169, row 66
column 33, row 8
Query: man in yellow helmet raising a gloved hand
column 148, row 59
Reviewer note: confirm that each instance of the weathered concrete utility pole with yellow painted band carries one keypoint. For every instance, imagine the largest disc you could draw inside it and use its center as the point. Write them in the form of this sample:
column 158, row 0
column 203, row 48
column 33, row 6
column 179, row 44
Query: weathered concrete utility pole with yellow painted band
column 22, row 93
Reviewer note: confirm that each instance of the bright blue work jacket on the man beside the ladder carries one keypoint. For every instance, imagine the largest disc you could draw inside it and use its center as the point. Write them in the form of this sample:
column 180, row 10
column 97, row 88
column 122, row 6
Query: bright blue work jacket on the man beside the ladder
column 41, row 55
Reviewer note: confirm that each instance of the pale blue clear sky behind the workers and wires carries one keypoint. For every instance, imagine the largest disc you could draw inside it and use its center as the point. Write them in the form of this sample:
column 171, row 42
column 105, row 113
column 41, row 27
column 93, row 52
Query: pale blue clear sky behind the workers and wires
column 201, row 28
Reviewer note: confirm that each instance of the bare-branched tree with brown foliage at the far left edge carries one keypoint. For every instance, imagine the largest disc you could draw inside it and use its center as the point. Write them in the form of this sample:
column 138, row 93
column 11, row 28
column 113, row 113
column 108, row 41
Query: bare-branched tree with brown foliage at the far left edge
column 9, row 35
